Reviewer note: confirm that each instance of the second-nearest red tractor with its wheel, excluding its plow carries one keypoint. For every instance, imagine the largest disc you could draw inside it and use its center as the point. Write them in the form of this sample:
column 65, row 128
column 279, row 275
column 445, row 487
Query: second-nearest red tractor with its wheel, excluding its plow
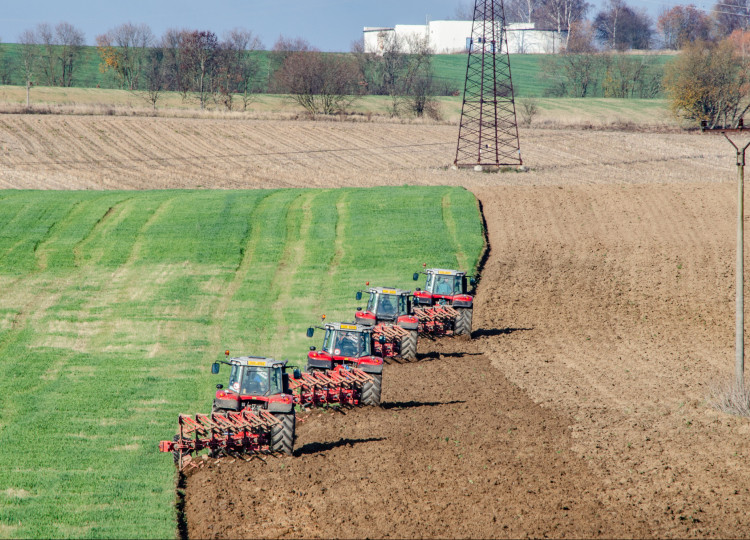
column 348, row 349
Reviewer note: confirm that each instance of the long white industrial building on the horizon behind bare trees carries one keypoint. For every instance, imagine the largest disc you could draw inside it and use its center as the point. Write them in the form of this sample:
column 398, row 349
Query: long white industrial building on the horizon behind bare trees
column 448, row 37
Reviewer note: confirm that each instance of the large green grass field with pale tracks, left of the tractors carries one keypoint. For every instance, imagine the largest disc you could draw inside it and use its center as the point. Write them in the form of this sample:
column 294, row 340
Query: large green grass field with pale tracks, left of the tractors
column 114, row 304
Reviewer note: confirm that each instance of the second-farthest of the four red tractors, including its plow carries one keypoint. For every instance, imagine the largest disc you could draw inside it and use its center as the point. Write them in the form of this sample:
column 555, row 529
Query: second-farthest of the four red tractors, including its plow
column 394, row 325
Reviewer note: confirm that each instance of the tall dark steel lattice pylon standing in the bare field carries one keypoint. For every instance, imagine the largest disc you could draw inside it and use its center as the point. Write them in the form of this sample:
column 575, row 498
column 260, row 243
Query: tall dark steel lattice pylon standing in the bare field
column 488, row 134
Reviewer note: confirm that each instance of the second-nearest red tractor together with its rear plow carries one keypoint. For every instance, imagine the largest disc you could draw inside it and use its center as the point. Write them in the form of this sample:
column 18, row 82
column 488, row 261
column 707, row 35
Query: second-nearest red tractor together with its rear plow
column 345, row 370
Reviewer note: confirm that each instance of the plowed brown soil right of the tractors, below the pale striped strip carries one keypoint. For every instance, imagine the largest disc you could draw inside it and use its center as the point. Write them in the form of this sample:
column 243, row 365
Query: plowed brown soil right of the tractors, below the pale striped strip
column 579, row 409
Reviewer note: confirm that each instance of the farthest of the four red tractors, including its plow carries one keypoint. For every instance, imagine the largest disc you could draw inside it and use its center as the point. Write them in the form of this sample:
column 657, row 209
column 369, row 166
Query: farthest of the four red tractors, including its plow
column 444, row 307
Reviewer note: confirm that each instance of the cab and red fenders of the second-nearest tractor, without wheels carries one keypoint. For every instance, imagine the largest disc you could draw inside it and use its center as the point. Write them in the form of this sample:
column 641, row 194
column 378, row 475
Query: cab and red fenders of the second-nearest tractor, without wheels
column 347, row 343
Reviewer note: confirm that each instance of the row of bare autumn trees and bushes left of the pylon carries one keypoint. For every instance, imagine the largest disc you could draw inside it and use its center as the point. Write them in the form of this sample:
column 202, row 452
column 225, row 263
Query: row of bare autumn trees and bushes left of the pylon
column 226, row 71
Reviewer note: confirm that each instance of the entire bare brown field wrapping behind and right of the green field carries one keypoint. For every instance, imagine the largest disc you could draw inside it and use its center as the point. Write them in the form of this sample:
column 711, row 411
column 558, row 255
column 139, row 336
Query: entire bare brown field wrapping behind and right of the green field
column 603, row 318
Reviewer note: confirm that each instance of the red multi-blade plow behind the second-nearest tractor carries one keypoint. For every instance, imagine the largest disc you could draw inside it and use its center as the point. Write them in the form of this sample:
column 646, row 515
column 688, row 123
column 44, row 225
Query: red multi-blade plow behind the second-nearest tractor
column 342, row 385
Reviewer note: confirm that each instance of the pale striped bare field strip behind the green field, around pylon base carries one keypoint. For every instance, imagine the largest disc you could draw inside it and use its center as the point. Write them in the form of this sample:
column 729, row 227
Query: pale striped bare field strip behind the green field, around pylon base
column 108, row 152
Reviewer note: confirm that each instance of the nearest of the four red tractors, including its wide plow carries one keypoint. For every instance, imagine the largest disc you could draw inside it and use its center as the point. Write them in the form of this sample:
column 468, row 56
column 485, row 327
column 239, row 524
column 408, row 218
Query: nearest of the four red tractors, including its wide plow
column 255, row 414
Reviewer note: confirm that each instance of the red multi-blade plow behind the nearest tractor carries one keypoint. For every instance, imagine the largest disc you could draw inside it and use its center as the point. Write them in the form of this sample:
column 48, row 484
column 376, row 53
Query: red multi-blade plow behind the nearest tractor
column 243, row 432
